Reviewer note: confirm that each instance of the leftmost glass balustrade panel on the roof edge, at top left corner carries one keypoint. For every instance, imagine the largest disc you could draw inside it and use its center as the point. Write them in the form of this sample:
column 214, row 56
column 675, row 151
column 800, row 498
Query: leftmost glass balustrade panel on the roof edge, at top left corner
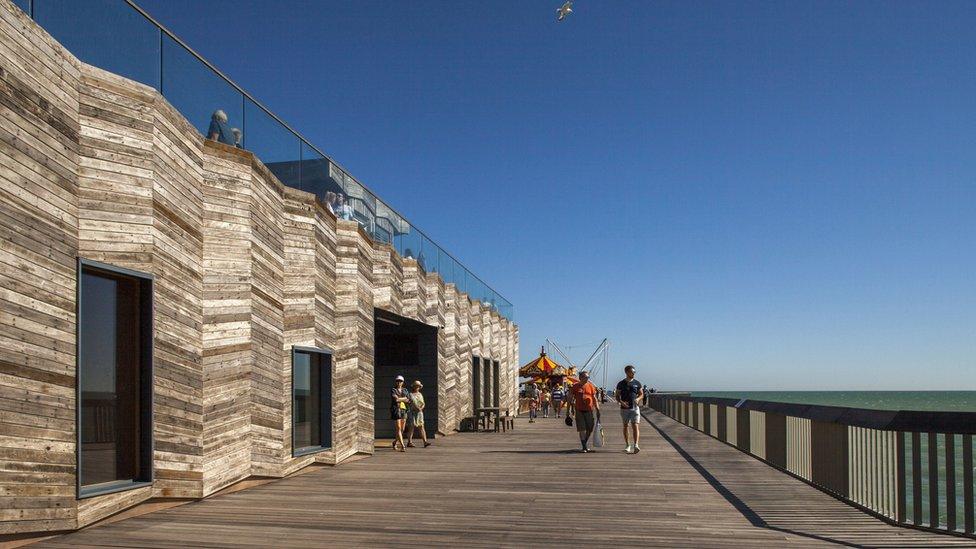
column 108, row 34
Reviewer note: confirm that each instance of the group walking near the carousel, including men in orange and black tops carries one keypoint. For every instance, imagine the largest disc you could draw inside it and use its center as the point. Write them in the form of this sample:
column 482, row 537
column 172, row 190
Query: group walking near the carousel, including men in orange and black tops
column 582, row 402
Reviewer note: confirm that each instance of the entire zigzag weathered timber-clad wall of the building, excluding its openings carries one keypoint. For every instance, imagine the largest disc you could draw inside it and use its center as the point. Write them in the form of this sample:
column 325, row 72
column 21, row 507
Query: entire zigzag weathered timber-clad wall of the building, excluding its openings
column 96, row 166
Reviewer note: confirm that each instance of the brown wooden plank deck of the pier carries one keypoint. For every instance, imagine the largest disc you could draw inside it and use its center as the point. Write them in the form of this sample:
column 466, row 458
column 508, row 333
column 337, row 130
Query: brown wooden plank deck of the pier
column 527, row 487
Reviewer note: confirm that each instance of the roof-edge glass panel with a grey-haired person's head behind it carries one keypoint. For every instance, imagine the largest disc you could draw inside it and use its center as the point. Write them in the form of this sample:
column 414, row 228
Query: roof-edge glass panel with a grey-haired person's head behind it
column 209, row 102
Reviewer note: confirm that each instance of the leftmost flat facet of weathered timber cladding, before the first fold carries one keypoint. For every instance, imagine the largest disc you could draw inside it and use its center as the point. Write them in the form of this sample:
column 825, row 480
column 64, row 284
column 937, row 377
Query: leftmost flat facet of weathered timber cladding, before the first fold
column 39, row 134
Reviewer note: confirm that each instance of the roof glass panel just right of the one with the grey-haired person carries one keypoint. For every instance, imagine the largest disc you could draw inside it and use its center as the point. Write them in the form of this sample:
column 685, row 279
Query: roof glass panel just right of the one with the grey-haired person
column 273, row 144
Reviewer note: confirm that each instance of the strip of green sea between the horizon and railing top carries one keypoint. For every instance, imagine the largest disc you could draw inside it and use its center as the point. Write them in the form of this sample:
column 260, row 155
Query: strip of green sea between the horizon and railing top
column 926, row 401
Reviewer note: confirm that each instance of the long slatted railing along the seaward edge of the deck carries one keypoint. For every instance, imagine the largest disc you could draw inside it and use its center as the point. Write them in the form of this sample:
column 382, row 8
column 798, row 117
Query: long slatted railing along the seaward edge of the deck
column 909, row 468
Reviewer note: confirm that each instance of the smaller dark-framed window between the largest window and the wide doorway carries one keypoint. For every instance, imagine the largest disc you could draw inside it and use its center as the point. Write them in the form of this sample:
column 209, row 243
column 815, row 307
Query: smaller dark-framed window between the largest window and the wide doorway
column 311, row 400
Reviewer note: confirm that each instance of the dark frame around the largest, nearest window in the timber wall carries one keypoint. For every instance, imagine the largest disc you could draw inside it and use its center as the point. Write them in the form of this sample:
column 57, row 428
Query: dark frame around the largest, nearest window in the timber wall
column 147, row 442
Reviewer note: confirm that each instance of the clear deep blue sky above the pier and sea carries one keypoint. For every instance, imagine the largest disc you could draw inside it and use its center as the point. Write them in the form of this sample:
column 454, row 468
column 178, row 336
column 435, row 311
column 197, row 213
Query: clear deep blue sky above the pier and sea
column 741, row 195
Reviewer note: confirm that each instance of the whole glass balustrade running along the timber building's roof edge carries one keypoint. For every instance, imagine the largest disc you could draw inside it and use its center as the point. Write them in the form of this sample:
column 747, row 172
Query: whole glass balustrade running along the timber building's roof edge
column 120, row 37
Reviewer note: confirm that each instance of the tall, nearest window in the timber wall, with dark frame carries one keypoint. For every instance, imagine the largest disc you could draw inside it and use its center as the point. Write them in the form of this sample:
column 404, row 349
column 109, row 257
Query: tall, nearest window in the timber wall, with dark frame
column 114, row 382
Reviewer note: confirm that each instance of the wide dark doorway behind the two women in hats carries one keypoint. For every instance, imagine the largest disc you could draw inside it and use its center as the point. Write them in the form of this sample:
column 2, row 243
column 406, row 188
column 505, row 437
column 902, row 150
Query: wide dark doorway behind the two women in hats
column 408, row 348
